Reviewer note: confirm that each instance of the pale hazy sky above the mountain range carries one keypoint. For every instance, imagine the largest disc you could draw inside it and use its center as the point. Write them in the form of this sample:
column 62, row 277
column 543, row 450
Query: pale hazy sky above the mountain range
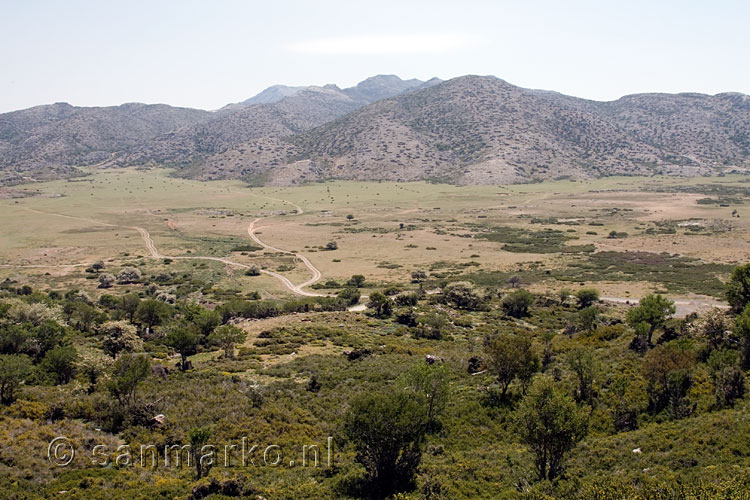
column 207, row 54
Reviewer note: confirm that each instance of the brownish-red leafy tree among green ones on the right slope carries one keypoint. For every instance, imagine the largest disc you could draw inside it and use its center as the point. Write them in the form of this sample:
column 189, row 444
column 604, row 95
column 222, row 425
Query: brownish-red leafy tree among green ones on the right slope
column 668, row 371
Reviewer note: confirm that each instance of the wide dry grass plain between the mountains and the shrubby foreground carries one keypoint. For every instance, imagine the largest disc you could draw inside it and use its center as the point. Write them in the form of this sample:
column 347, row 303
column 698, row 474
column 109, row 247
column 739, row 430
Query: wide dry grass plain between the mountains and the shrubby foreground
column 542, row 232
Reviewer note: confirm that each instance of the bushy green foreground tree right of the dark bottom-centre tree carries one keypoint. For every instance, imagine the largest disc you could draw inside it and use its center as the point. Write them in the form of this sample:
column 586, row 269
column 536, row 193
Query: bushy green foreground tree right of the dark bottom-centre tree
column 550, row 423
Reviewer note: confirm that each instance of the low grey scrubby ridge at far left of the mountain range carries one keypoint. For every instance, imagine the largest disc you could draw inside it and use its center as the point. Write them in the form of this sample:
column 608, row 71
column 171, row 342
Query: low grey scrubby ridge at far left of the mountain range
column 49, row 141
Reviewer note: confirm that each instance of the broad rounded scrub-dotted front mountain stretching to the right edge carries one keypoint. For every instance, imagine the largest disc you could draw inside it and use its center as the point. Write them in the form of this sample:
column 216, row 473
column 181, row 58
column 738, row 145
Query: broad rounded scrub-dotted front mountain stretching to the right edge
column 479, row 130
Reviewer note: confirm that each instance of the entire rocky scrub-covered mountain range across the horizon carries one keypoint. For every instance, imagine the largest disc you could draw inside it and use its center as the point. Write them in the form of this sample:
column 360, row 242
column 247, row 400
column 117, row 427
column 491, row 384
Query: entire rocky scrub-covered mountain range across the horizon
column 472, row 130
